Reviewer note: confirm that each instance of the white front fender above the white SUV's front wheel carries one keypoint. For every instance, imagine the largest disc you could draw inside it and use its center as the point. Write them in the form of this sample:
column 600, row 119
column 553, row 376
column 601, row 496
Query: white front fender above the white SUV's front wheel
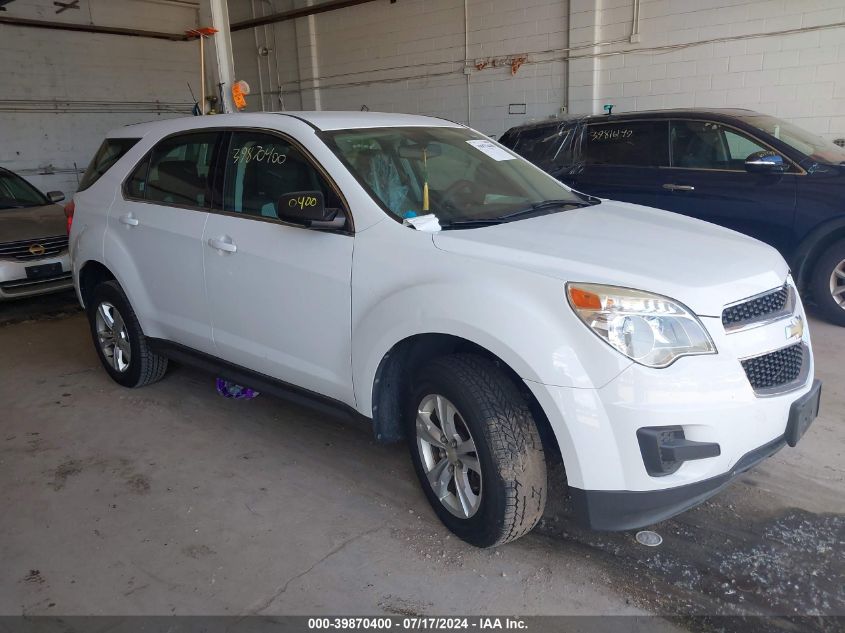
column 520, row 317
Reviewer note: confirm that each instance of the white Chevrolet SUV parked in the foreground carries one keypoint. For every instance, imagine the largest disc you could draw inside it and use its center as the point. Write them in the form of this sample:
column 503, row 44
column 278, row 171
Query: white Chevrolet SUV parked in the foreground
column 414, row 272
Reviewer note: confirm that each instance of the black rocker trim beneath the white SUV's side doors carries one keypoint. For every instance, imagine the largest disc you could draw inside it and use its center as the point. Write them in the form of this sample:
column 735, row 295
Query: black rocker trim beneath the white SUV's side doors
column 258, row 381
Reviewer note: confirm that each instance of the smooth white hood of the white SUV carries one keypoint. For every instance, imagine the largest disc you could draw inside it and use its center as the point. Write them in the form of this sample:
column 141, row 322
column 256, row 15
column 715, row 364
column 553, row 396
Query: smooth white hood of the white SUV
column 697, row 263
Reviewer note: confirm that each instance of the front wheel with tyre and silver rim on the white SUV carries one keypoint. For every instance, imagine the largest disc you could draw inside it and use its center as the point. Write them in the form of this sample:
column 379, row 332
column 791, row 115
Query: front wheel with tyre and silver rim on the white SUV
column 476, row 450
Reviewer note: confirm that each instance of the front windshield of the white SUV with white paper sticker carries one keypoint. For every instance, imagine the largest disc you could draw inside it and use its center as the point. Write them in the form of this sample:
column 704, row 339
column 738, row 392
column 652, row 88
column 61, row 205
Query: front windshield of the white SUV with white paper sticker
column 453, row 173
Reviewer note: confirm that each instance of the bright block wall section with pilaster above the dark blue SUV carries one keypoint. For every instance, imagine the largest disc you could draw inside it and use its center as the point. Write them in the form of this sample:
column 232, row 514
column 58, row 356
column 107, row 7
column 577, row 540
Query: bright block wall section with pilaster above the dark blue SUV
column 799, row 77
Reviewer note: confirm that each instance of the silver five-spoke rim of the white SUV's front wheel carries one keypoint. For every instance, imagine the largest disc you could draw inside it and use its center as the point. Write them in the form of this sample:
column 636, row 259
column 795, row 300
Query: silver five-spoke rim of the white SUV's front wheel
column 448, row 455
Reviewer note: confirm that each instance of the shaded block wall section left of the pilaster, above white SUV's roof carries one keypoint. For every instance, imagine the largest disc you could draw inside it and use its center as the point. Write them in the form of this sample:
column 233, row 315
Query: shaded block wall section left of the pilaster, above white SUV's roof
column 409, row 57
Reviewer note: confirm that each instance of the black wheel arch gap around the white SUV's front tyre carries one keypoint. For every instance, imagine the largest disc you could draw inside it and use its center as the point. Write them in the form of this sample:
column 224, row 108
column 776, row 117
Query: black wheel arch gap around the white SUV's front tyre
column 393, row 378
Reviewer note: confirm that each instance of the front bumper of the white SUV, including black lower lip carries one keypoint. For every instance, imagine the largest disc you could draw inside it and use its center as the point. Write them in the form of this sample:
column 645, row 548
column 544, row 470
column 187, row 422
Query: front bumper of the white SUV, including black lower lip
column 709, row 398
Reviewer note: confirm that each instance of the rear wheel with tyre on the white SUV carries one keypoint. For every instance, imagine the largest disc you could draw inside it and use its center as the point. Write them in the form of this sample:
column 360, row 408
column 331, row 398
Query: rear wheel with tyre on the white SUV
column 118, row 339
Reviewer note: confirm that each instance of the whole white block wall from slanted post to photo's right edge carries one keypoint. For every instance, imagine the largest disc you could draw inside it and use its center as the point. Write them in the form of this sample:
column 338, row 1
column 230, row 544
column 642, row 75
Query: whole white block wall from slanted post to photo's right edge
column 409, row 57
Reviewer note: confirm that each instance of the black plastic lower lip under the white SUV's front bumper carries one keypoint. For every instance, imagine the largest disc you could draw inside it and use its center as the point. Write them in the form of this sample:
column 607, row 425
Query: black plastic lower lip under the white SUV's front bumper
column 617, row 510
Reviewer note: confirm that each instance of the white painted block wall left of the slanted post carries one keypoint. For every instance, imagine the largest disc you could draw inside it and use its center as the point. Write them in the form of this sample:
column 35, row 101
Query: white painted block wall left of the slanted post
column 60, row 91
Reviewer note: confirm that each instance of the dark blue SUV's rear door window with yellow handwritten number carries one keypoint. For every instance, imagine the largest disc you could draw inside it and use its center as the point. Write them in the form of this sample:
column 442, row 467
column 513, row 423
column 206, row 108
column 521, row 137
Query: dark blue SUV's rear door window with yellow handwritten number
column 627, row 143
